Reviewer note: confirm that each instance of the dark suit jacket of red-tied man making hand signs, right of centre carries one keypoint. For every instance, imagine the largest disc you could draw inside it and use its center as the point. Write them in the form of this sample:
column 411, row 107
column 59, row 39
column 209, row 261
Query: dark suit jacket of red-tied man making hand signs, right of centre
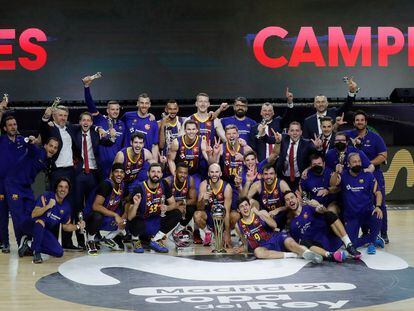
column 305, row 149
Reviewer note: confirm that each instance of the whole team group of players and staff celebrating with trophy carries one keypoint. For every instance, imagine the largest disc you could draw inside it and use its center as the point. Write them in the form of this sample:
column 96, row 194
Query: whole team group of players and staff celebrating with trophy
column 288, row 188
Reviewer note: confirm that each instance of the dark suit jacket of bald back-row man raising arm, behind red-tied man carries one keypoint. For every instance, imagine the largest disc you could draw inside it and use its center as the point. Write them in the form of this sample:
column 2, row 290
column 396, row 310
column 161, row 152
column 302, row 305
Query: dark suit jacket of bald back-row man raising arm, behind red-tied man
column 278, row 124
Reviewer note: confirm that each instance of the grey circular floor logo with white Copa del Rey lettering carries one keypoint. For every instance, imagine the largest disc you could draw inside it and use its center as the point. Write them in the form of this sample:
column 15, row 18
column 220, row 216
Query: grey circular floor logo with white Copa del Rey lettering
column 160, row 282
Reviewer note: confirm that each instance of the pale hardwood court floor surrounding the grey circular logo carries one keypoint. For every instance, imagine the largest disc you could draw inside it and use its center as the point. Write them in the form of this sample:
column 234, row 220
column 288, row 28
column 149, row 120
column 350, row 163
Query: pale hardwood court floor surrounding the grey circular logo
column 19, row 275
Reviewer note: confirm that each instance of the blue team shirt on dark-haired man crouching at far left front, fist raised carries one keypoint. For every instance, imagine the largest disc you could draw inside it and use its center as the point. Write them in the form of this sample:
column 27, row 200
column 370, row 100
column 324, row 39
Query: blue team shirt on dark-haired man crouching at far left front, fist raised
column 58, row 214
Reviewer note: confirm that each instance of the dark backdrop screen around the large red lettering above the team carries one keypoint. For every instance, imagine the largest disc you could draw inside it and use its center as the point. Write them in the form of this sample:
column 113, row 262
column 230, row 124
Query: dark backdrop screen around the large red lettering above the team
column 175, row 49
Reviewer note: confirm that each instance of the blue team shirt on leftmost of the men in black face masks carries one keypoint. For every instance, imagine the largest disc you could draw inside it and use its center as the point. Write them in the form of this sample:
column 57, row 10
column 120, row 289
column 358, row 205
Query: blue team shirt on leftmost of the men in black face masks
column 314, row 183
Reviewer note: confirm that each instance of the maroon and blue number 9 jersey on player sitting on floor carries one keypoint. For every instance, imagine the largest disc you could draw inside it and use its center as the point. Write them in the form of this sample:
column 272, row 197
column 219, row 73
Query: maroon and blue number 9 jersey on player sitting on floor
column 256, row 232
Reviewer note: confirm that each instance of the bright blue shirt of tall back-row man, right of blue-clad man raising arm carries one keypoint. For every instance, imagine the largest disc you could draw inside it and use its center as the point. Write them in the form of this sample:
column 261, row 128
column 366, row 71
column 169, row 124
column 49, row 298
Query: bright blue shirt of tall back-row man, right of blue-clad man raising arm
column 135, row 123
